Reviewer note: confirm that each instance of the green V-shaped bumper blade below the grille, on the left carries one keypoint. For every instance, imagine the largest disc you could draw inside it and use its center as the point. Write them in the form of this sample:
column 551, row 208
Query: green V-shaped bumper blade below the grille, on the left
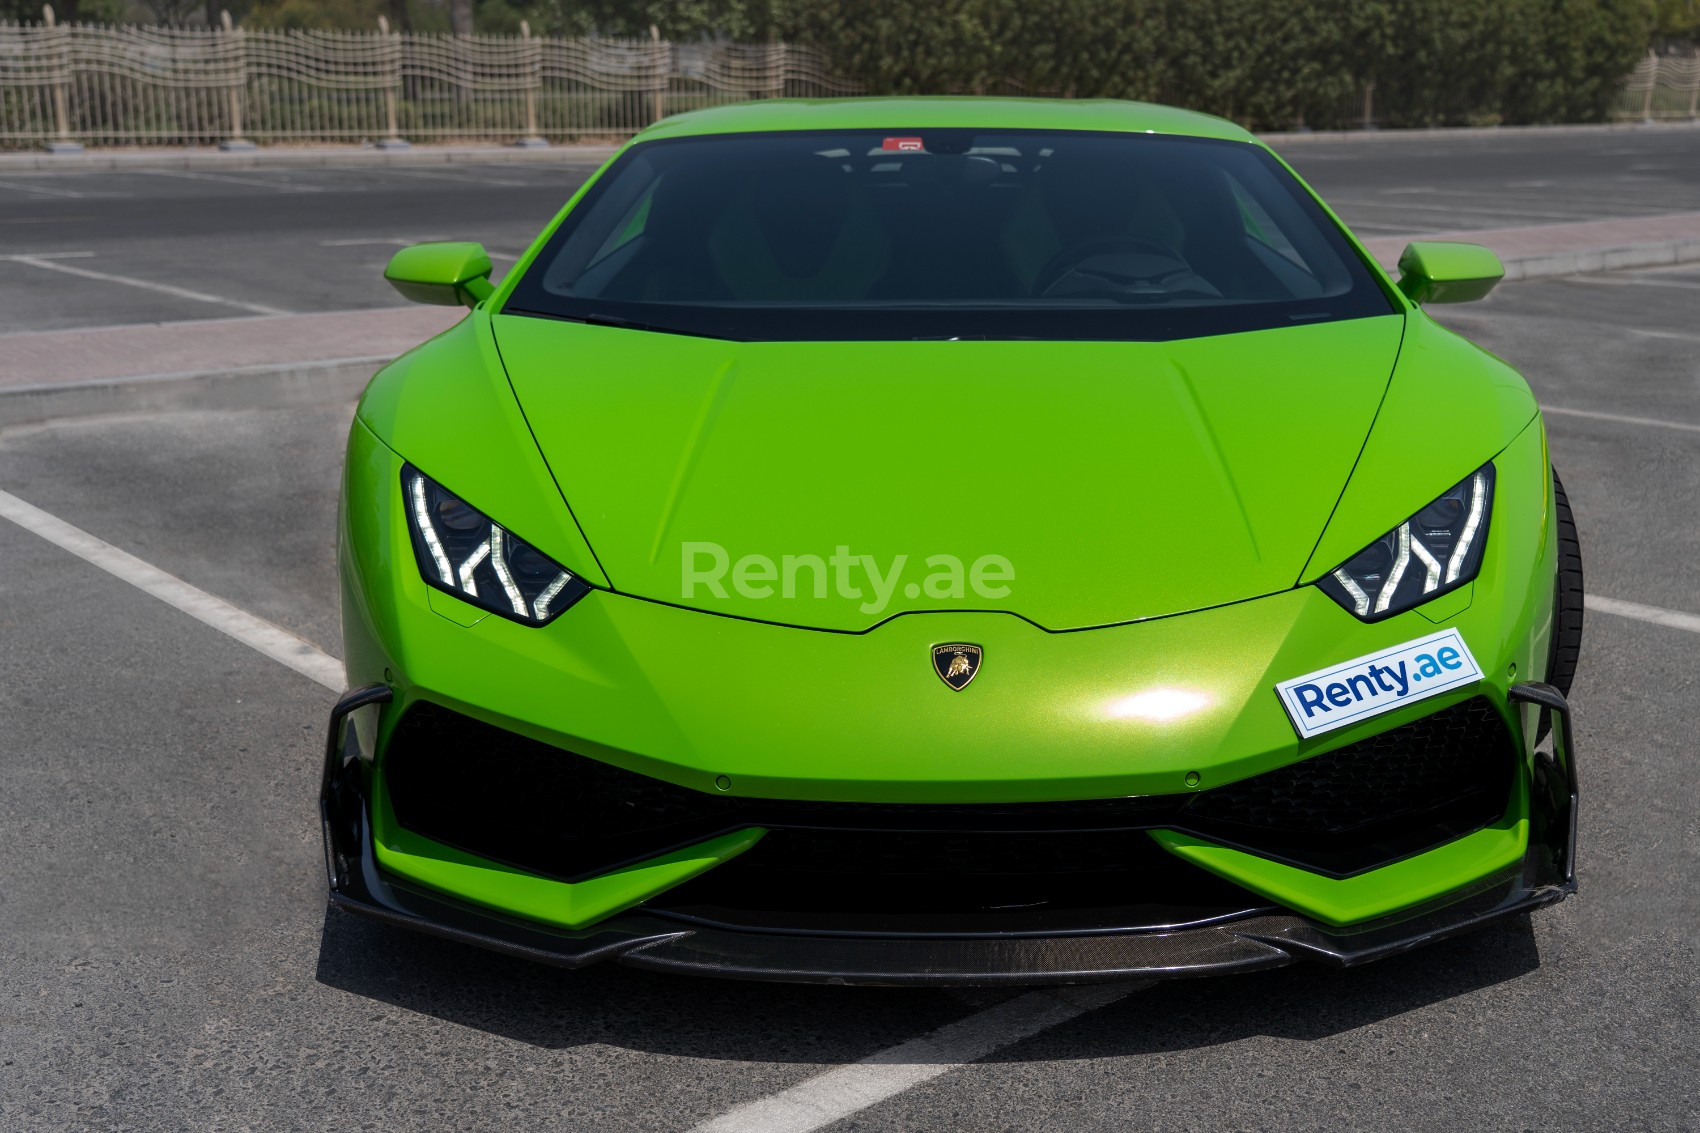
column 562, row 904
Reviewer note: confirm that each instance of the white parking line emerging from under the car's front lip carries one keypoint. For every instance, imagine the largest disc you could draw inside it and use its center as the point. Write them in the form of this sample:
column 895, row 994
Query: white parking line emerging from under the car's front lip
column 849, row 1090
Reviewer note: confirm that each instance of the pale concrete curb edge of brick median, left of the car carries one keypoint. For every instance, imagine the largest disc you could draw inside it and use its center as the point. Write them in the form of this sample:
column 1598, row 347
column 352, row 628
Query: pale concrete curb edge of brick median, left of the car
column 261, row 387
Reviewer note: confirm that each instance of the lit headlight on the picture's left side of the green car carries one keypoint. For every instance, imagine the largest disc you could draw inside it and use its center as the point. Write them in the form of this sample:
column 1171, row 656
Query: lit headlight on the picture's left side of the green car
column 463, row 552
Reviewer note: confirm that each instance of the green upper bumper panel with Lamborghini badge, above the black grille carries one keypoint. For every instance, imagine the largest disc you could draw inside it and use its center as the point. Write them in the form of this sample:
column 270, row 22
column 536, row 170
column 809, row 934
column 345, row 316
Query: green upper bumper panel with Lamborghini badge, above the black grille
column 785, row 712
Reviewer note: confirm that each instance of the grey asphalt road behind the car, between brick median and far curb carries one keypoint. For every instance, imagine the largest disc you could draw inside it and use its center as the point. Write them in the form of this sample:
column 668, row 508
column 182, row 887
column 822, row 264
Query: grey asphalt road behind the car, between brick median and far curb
column 317, row 239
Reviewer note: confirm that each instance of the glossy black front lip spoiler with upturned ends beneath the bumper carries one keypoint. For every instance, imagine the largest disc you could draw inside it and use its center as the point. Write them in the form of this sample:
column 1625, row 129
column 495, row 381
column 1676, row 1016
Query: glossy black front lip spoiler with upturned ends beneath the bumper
column 1249, row 945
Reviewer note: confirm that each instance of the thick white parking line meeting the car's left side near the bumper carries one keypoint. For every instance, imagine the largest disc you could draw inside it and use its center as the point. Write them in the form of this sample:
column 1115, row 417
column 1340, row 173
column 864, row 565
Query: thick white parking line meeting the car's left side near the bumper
column 281, row 646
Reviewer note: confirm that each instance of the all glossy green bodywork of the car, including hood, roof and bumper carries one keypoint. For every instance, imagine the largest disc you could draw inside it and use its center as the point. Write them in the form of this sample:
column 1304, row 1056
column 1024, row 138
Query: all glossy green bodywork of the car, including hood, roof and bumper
column 659, row 440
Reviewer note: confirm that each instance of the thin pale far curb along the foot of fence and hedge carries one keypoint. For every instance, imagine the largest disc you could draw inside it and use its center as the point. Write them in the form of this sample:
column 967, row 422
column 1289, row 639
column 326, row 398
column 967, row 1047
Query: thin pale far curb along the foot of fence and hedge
column 298, row 157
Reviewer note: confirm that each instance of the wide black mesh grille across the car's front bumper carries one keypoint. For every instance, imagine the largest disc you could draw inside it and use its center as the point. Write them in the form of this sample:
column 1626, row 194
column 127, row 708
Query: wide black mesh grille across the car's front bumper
column 548, row 811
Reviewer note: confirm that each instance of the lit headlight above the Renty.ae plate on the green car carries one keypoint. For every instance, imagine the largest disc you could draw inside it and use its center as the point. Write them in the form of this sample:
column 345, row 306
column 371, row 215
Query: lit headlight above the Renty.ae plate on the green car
column 1437, row 550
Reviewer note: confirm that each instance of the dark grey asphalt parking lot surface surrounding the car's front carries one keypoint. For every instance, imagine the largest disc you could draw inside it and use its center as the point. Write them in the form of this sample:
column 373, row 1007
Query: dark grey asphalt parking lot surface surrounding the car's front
column 169, row 962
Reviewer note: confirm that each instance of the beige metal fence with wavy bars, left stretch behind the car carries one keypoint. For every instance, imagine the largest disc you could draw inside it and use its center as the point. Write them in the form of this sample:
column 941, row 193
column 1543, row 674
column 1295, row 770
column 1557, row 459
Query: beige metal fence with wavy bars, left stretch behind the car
column 147, row 86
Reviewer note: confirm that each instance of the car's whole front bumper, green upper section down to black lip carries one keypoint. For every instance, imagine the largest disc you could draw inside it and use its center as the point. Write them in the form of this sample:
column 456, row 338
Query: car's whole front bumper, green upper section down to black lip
column 754, row 714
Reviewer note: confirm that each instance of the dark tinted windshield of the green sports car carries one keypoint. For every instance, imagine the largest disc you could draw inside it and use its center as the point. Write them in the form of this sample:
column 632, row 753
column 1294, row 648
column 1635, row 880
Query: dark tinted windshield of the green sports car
column 948, row 234
